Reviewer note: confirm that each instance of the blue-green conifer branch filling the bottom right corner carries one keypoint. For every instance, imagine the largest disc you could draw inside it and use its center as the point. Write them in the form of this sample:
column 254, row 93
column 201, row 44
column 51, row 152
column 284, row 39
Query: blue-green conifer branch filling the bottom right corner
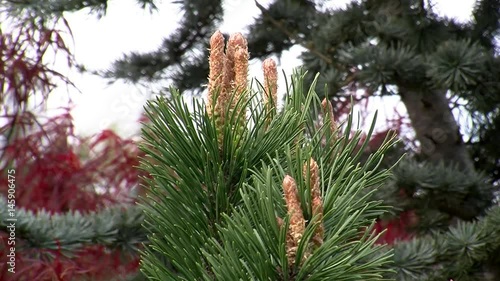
column 457, row 253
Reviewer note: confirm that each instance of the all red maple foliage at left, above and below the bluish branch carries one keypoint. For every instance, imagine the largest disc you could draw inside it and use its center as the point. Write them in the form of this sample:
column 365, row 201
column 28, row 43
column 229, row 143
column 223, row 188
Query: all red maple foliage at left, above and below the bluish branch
column 56, row 170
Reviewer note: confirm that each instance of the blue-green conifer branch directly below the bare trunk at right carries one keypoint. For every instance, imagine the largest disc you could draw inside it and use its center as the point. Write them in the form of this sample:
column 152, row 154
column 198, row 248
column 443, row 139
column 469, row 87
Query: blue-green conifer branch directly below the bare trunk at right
column 437, row 192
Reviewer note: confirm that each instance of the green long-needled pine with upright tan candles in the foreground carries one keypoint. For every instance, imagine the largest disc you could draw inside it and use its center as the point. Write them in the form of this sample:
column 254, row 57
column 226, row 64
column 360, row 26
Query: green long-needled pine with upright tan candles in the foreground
column 241, row 191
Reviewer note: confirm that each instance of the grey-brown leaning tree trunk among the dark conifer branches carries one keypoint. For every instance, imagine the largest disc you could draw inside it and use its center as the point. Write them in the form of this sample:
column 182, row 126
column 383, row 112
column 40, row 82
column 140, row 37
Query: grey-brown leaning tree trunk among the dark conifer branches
column 436, row 127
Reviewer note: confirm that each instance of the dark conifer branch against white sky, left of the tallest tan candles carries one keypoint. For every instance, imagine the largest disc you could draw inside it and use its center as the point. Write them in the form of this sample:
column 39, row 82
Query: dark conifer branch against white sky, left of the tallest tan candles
column 178, row 52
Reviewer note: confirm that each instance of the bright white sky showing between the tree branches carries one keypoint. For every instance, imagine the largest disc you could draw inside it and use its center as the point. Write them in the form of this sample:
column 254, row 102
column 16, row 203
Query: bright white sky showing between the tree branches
column 97, row 43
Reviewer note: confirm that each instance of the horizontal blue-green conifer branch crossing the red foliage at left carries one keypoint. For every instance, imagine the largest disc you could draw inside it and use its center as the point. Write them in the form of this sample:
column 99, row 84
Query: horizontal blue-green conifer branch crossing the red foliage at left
column 115, row 227
